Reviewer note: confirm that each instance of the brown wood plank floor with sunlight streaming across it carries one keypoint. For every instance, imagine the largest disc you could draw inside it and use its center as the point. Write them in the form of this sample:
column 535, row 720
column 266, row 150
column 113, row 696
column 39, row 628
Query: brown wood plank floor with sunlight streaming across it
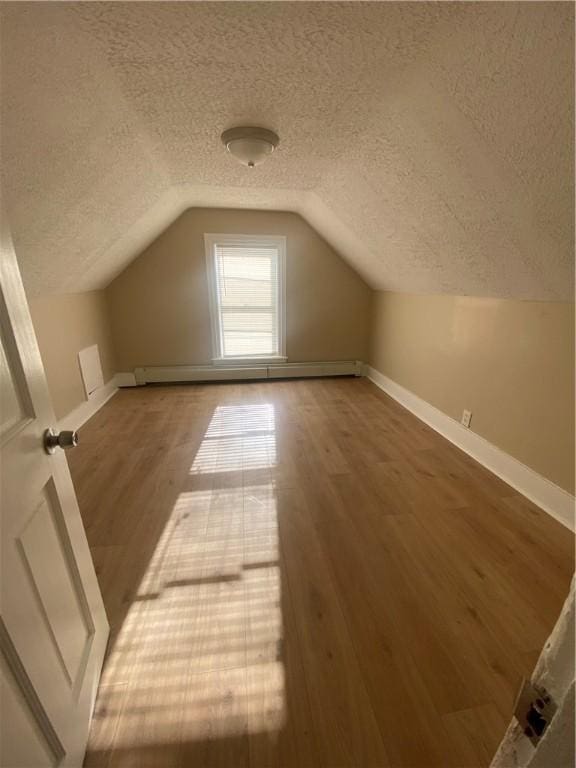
column 303, row 574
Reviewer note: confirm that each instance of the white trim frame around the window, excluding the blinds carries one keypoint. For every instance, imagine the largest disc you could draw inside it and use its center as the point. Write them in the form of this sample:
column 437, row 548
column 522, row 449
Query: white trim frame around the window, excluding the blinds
column 277, row 241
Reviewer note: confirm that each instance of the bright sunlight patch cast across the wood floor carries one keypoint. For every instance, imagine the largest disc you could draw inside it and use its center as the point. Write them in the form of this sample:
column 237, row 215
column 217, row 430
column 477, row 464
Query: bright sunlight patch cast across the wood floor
column 199, row 654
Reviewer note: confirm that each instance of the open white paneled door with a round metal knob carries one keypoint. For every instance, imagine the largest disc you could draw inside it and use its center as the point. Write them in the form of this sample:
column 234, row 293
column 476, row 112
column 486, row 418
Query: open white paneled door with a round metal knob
column 53, row 627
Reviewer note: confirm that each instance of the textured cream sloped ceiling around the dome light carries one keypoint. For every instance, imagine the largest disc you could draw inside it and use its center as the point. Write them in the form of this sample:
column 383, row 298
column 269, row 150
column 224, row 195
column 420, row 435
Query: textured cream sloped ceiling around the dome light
column 430, row 143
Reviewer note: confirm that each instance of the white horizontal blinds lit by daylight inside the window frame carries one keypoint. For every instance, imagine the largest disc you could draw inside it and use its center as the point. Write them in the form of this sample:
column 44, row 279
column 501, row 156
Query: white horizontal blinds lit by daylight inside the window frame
column 247, row 297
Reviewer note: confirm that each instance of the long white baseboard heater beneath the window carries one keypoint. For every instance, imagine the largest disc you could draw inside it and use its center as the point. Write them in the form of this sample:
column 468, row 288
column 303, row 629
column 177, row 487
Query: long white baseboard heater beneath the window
column 175, row 373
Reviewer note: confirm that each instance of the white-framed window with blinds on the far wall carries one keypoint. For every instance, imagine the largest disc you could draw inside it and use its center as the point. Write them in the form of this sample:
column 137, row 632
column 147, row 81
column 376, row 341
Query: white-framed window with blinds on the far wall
column 246, row 277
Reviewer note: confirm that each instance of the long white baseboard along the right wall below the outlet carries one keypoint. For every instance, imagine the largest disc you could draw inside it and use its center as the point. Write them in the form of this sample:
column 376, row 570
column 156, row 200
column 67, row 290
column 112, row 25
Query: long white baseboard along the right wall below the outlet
column 551, row 498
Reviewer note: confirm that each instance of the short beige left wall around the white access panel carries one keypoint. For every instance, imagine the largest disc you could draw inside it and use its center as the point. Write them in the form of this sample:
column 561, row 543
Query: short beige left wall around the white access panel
column 64, row 325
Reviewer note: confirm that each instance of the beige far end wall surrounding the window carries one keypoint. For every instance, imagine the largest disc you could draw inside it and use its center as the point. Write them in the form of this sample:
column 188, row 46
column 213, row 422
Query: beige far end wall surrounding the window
column 159, row 304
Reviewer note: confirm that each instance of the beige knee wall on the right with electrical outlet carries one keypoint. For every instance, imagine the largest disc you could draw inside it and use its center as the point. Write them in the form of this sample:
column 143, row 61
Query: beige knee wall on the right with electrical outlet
column 510, row 362
